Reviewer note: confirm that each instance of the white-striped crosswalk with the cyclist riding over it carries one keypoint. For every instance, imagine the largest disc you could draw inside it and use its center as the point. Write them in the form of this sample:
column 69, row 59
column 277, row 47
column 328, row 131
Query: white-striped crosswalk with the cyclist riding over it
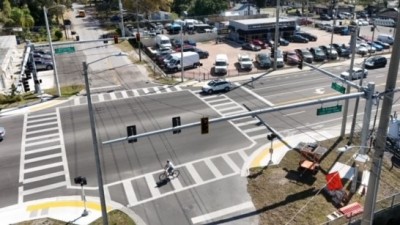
column 142, row 189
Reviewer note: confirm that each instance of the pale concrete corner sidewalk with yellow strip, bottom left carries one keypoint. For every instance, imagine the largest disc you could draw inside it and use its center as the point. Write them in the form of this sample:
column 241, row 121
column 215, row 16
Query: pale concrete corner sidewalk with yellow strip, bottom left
column 68, row 209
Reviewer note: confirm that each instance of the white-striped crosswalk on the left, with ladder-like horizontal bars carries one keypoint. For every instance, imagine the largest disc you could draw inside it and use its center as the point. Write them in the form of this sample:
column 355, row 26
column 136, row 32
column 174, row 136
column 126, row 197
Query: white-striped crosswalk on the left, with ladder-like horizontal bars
column 43, row 165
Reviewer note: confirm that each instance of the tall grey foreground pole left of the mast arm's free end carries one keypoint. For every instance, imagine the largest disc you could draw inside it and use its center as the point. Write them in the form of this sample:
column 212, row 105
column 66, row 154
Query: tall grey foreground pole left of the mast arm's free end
column 95, row 146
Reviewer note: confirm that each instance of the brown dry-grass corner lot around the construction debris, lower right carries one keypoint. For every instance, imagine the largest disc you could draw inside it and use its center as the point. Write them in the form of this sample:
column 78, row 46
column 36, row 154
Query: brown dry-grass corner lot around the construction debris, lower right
column 282, row 195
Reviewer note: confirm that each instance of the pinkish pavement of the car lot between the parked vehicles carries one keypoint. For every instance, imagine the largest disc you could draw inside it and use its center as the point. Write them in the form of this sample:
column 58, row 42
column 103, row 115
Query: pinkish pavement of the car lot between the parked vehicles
column 232, row 49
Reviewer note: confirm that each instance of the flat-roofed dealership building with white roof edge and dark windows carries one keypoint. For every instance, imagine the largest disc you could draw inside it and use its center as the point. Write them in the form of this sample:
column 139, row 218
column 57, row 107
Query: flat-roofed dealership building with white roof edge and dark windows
column 262, row 28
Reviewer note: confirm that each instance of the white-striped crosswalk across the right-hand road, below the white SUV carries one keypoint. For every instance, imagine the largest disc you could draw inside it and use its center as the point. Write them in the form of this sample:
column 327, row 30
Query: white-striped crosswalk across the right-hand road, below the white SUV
column 226, row 106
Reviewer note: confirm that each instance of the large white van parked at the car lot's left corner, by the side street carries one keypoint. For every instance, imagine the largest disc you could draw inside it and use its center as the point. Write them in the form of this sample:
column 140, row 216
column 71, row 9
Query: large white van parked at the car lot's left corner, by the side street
column 190, row 60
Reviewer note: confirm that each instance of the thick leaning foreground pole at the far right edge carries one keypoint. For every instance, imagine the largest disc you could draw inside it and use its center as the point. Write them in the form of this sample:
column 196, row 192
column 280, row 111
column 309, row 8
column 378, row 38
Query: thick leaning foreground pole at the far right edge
column 380, row 144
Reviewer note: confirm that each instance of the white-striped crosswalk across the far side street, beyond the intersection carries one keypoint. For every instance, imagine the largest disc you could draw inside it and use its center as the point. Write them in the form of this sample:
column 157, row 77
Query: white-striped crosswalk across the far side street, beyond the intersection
column 117, row 95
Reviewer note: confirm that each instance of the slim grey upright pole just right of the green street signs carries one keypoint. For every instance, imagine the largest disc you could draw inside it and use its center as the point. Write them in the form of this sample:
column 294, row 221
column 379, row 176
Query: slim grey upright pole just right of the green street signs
column 353, row 54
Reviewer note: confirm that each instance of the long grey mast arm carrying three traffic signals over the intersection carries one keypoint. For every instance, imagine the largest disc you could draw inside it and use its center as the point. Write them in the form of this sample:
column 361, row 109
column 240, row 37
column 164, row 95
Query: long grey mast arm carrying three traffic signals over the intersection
column 240, row 115
